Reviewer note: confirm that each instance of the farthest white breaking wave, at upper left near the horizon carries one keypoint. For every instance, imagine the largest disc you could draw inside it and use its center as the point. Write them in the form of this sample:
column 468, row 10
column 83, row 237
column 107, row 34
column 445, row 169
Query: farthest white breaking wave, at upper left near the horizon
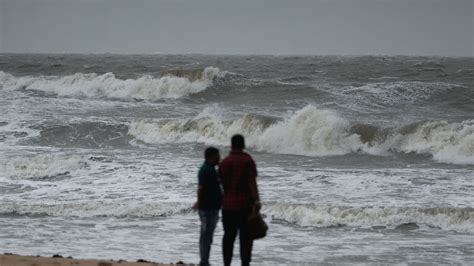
column 173, row 84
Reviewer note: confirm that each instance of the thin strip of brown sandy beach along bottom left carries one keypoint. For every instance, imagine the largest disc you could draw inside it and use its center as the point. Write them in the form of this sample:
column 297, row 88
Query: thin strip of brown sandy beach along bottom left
column 17, row 260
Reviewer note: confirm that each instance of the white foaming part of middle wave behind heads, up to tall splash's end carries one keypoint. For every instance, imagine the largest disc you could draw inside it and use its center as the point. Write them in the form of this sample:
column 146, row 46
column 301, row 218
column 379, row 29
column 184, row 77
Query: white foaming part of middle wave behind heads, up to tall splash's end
column 308, row 131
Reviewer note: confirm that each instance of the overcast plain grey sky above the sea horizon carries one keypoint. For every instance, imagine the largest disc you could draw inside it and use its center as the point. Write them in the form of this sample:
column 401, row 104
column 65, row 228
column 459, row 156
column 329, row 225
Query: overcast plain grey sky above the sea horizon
column 409, row 27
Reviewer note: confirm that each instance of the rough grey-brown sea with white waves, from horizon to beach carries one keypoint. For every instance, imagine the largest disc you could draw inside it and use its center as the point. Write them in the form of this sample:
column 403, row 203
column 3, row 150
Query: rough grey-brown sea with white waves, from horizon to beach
column 364, row 160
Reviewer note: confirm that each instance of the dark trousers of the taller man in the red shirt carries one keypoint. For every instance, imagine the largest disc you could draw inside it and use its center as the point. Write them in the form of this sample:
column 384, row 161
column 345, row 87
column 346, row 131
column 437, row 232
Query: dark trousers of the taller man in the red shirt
column 236, row 222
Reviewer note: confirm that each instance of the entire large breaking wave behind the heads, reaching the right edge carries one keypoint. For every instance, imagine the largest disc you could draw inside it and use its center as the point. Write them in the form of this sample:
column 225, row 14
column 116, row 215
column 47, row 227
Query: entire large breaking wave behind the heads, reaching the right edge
column 315, row 132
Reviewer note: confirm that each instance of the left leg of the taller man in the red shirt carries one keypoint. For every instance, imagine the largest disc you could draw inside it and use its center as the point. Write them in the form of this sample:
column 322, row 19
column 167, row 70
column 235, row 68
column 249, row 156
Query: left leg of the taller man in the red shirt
column 230, row 223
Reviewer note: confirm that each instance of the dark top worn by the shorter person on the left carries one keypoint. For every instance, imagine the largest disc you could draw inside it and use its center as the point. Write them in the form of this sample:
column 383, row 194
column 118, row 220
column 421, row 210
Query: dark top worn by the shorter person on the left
column 211, row 197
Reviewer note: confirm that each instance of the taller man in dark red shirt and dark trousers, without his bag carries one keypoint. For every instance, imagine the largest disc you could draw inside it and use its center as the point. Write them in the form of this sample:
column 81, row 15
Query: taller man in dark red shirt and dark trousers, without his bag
column 238, row 175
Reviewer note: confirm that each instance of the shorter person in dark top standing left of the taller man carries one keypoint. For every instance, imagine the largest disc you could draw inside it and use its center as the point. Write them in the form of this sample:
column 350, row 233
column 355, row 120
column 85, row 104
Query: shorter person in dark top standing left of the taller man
column 209, row 201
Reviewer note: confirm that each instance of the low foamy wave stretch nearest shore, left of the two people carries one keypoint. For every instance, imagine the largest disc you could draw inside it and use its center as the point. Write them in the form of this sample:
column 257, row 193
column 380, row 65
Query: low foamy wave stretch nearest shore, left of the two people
column 94, row 209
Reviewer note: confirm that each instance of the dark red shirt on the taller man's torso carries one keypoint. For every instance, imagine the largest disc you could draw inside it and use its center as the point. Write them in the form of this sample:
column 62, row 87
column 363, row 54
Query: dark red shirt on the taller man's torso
column 235, row 172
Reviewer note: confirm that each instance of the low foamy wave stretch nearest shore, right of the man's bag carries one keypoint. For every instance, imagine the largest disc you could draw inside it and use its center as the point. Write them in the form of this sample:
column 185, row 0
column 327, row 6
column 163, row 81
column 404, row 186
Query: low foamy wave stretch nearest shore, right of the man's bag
column 313, row 215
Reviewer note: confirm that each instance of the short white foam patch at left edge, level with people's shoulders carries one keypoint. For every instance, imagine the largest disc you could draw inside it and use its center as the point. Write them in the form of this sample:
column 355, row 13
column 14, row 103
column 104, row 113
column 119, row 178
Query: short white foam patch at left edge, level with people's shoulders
column 40, row 166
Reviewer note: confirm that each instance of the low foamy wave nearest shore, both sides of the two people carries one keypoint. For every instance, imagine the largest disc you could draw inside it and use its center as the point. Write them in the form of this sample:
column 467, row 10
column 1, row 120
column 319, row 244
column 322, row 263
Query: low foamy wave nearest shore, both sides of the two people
column 304, row 215
